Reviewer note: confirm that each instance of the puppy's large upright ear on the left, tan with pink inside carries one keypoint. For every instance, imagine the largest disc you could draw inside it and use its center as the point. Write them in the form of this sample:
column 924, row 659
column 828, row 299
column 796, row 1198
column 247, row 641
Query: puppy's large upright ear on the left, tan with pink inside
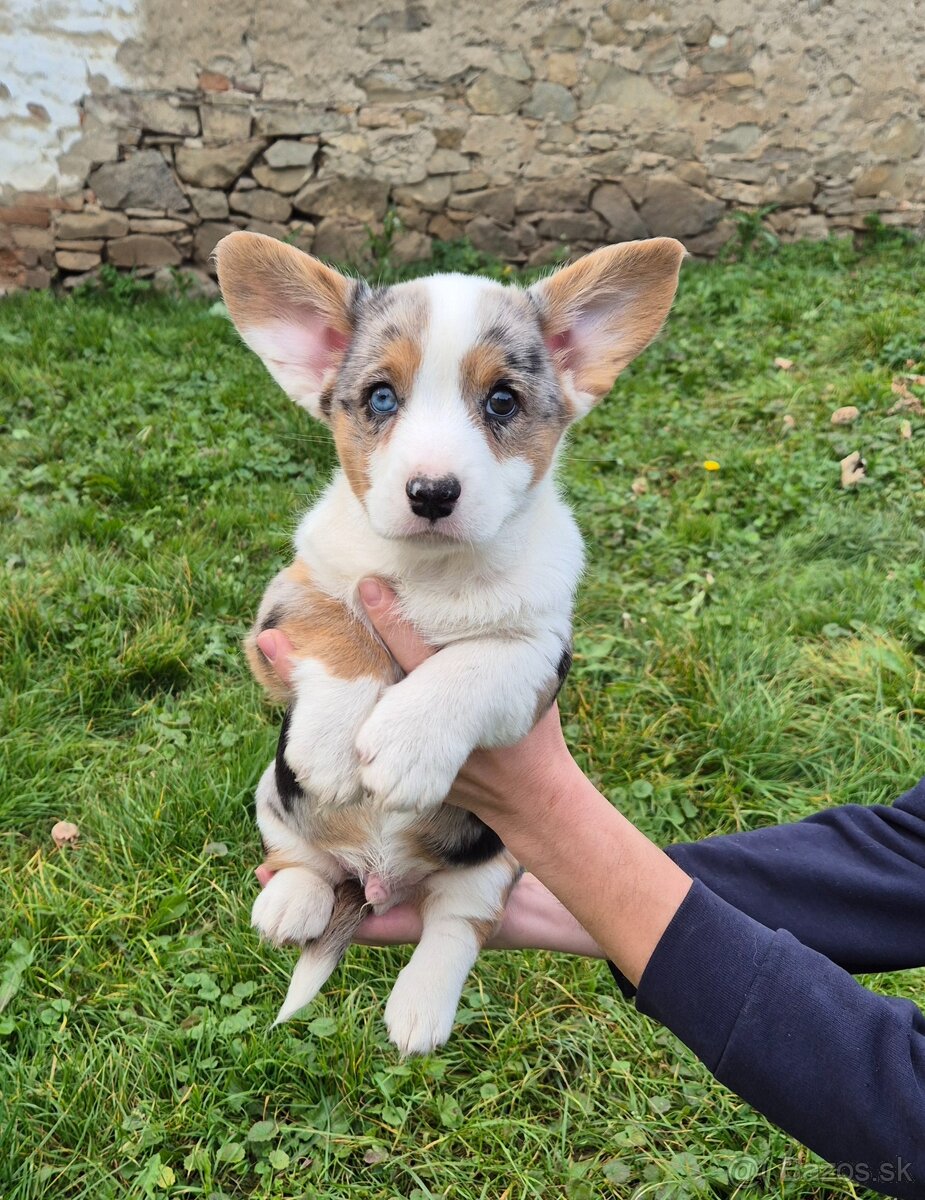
column 292, row 310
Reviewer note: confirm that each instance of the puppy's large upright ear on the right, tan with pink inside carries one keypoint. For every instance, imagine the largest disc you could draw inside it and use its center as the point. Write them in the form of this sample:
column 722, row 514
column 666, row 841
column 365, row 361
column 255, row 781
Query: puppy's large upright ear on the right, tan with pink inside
column 603, row 311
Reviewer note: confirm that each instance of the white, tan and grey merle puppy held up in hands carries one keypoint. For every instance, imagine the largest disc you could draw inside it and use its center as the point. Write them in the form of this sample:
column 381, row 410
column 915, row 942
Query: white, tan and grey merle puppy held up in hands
column 448, row 399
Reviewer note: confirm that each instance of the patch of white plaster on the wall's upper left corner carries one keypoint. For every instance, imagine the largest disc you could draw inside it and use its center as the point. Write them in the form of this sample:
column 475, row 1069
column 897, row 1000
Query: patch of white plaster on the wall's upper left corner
column 49, row 52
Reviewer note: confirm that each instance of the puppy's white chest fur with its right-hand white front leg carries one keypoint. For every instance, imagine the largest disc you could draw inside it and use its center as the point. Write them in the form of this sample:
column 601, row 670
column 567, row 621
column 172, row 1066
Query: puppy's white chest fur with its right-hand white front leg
column 501, row 608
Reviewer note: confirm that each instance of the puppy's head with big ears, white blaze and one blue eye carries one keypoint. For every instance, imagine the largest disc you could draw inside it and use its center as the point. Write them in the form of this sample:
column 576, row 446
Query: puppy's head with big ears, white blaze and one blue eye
column 448, row 397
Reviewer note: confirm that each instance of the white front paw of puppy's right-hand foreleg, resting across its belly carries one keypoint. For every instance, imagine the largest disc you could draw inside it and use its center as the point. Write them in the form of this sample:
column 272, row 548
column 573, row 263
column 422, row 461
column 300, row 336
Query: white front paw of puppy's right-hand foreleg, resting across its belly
column 404, row 766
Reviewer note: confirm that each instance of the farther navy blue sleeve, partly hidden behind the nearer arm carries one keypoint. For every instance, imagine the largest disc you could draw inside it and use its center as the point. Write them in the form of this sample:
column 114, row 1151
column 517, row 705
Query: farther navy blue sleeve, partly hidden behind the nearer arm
column 849, row 881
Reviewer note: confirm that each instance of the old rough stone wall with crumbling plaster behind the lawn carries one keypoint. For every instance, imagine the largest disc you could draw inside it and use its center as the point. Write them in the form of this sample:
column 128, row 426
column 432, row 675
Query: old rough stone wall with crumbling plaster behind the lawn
column 525, row 127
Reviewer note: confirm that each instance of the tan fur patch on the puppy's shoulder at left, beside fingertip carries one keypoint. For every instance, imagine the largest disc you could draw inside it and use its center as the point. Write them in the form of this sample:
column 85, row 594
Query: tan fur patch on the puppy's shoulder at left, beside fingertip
column 320, row 628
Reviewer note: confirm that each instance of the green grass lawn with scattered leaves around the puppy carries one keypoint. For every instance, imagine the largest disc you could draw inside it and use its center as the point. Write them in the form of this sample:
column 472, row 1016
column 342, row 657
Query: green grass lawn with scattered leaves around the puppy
column 750, row 647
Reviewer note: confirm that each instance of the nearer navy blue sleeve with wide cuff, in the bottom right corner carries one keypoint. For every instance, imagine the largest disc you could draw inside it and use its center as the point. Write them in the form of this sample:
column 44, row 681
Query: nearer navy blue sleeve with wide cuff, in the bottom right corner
column 832, row 1064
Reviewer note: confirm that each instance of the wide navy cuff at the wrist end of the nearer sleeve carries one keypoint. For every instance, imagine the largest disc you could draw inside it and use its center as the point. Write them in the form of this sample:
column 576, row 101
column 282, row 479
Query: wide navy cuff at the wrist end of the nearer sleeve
column 700, row 974
